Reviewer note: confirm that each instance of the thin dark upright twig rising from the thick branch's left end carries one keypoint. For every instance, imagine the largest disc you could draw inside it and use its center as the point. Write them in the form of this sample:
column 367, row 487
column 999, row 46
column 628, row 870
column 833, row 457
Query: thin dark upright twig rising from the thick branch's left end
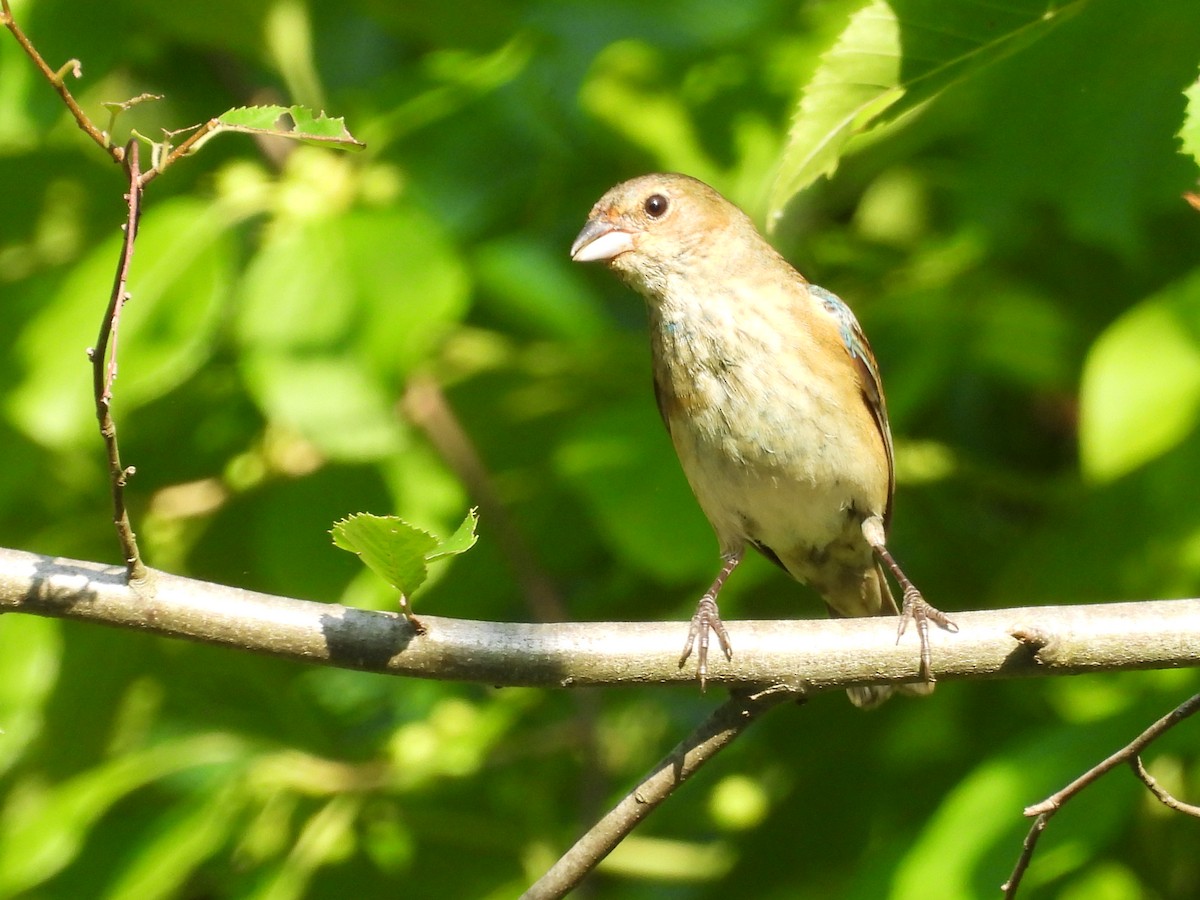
column 104, row 368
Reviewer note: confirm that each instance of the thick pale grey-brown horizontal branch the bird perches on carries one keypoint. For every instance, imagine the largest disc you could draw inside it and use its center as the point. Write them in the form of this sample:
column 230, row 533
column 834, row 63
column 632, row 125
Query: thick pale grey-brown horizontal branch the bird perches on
column 808, row 655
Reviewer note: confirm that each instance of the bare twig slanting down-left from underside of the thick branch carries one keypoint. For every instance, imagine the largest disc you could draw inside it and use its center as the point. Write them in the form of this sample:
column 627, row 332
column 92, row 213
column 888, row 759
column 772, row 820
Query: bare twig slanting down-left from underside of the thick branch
column 713, row 736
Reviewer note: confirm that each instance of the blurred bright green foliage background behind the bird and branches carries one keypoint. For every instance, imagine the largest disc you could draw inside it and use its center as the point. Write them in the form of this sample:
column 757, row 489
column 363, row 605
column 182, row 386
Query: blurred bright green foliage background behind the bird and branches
column 1012, row 236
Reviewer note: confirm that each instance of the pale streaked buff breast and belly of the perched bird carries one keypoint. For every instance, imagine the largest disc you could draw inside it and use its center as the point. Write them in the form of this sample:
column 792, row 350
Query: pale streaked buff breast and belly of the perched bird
column 776, row 451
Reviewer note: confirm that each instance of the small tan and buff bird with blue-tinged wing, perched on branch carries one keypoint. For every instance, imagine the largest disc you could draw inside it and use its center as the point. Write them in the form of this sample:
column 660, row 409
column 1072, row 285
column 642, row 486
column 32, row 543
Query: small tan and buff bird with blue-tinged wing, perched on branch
column 773, row 401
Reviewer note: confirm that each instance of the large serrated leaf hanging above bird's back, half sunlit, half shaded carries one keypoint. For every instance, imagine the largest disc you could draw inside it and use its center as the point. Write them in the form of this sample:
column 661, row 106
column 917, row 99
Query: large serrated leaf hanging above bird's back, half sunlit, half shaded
column 890, row 59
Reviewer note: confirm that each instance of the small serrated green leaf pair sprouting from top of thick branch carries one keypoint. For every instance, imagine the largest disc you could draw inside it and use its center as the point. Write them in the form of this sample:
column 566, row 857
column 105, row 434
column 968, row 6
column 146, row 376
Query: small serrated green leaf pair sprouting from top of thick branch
column 399, row 551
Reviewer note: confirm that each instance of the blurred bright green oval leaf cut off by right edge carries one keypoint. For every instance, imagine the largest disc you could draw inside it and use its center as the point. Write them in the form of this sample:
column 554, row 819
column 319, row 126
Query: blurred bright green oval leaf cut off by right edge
column 1141, row 393
